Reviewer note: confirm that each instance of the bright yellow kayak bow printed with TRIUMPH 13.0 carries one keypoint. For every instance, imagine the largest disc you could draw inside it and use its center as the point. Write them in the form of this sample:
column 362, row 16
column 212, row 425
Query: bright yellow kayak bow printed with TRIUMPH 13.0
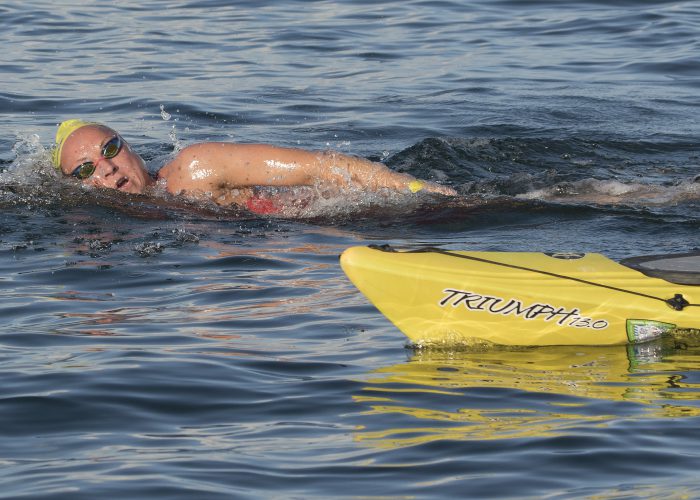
column 519, row 298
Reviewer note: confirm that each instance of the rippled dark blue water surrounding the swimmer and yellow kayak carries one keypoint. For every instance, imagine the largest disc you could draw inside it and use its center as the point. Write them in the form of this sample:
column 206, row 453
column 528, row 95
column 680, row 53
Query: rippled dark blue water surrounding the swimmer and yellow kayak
column 152, row 348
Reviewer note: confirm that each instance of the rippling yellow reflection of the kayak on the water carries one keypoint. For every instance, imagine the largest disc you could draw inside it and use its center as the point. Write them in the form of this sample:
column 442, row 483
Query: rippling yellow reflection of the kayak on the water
column 443, row 394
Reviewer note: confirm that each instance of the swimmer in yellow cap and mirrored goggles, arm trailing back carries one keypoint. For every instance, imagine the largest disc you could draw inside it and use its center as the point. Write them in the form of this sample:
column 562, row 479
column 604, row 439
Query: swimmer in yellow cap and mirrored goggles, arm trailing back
column 220, row 171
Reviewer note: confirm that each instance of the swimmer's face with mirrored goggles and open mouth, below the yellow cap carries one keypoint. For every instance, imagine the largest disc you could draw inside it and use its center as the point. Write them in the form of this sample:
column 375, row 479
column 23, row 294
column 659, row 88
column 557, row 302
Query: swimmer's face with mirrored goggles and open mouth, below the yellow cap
column 116, row 166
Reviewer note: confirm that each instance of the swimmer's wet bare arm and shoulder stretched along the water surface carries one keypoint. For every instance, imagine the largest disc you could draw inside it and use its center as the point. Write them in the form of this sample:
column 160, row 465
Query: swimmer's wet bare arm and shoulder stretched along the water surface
column 211, row 166
